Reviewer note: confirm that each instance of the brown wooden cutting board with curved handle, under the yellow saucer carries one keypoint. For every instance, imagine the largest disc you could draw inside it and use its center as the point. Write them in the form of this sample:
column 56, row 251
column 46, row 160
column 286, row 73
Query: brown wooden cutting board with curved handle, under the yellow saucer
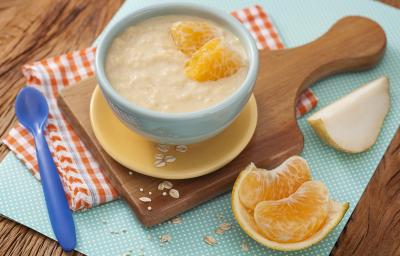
column 353, row 43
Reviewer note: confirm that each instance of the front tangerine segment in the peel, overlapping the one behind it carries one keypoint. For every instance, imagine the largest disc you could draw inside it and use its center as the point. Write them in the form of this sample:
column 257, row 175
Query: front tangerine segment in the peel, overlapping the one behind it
column 295, row 218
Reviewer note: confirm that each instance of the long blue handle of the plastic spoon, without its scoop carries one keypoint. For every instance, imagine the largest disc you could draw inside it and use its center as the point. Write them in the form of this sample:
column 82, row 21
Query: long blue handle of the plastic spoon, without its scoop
column 57, row 205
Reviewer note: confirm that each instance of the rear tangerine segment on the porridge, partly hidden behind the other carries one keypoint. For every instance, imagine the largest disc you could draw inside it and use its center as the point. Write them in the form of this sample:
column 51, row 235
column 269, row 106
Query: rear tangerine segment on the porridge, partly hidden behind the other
column 189, row 36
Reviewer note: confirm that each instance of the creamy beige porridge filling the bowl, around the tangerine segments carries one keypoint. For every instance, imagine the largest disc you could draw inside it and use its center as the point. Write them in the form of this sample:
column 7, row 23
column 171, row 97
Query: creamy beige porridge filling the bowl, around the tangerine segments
column 145, row 66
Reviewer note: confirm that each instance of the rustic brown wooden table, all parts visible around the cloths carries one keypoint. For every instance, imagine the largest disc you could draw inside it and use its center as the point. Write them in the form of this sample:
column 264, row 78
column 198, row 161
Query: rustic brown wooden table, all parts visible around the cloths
column 33, row 30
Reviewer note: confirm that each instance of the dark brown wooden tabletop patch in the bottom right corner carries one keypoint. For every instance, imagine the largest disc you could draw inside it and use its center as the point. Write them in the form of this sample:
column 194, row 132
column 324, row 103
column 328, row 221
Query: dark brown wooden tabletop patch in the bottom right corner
column 374, row 226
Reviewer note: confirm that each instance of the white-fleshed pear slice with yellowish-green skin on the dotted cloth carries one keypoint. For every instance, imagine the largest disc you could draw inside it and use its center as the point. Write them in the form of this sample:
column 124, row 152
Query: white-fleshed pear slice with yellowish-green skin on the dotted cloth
column 352, row 124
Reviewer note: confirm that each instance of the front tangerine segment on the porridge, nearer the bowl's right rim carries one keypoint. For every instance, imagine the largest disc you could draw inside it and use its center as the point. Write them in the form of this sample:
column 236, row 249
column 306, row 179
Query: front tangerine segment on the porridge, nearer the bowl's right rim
column 212, row 61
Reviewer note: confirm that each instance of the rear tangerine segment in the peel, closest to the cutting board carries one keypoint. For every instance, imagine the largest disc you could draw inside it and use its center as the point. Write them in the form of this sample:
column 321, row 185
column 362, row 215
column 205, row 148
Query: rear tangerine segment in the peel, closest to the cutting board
column 260, row 184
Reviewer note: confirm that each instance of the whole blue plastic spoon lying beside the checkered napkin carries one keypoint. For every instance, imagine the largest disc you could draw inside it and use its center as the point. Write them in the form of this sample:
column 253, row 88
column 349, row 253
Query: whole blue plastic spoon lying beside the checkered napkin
column 32, row 111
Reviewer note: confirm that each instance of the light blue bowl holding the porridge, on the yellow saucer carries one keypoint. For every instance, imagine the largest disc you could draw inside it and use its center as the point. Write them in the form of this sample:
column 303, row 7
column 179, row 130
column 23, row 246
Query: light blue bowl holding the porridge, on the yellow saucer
column 178, row 128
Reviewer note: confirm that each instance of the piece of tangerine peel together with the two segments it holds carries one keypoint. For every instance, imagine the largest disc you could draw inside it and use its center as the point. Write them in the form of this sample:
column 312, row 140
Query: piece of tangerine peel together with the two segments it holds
column 289, row 211
